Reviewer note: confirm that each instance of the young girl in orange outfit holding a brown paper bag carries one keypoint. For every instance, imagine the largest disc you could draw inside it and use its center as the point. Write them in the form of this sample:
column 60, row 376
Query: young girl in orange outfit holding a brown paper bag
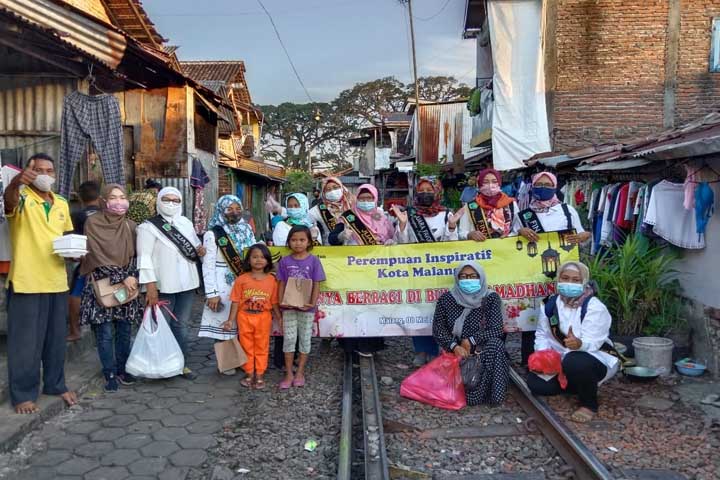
column 254, row 298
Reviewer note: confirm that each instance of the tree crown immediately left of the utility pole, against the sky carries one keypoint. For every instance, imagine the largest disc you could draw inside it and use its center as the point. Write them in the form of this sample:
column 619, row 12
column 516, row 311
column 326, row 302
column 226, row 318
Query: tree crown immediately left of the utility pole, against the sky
column 369, row 101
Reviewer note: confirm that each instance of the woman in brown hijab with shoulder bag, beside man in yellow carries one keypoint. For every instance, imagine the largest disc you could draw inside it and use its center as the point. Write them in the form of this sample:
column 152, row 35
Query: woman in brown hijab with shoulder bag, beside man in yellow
column 111, row 254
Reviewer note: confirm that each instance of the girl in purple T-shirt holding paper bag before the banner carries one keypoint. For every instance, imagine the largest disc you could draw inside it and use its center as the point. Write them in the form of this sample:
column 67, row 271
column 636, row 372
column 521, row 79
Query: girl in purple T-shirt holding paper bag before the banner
column 297, row 321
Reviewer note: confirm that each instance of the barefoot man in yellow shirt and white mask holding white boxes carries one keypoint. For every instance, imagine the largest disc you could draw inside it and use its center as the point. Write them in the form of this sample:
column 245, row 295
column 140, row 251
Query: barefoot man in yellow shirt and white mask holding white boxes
column 37, row 286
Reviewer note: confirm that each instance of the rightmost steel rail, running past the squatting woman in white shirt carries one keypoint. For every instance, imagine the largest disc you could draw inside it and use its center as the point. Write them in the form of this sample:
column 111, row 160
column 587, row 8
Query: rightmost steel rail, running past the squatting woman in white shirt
column 569, row 446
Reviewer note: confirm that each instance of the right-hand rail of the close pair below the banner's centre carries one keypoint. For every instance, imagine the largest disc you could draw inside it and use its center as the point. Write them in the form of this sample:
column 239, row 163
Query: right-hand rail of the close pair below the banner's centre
column 376, row 462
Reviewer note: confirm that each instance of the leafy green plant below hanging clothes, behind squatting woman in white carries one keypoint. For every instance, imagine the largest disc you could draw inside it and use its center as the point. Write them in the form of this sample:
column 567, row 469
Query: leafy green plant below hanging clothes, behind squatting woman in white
column 637, row 282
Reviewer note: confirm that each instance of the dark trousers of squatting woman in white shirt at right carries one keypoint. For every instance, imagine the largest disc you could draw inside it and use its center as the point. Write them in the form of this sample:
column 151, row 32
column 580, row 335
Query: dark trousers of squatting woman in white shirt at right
column 583, row 372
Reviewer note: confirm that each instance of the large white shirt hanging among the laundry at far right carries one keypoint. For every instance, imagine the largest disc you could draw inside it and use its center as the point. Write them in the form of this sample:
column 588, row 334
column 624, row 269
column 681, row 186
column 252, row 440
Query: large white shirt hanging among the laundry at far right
column 669, row 218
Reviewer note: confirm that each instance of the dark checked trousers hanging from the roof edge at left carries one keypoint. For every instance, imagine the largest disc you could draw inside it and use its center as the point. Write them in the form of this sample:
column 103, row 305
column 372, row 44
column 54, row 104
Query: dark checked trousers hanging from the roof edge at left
column 96, row 119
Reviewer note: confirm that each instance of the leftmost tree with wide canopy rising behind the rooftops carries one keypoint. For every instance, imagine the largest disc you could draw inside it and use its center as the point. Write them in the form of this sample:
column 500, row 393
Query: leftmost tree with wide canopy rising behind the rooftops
column 297, row 134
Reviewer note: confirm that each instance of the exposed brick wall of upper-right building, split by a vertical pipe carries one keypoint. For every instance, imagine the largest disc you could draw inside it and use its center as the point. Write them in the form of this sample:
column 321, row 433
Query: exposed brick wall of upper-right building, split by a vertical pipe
column 611, row 68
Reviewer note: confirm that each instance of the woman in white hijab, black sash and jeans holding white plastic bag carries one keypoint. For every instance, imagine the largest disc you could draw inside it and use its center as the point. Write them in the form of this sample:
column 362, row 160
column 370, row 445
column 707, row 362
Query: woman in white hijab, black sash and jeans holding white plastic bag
column 169, row 253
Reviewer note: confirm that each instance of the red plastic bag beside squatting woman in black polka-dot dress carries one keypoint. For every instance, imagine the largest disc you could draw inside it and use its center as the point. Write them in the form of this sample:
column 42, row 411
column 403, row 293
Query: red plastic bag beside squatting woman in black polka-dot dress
column 438, row 383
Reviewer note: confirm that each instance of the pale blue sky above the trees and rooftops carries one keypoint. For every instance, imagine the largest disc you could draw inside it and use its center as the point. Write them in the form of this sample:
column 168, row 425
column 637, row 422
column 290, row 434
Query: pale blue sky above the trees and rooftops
column 333, row 43
